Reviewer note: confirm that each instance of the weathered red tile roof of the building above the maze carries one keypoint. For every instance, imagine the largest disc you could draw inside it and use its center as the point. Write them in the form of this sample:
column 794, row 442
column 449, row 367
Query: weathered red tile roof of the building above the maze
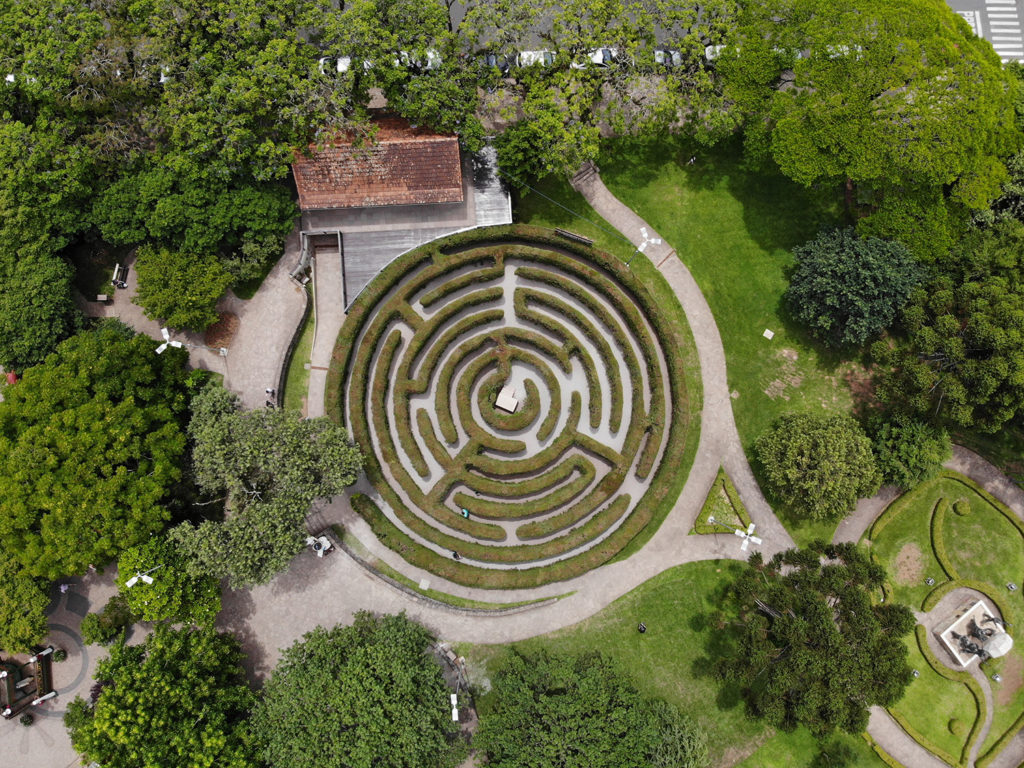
column 403, row 166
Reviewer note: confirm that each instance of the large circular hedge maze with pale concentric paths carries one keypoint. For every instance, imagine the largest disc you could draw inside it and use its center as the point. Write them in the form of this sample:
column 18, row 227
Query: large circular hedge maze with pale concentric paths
column 544, row 492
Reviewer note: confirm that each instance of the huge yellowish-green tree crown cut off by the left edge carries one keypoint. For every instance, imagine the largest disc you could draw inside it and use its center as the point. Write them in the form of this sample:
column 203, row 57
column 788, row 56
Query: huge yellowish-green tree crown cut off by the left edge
column 91, row 446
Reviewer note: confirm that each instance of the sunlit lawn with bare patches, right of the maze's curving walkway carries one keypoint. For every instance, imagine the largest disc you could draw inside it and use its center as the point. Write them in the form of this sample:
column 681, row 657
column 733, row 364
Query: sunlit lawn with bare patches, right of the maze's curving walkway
column 735, row 229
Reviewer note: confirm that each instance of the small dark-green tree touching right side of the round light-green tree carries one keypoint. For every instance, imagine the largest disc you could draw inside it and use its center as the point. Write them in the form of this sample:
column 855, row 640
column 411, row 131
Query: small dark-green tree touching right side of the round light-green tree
column 909, row 451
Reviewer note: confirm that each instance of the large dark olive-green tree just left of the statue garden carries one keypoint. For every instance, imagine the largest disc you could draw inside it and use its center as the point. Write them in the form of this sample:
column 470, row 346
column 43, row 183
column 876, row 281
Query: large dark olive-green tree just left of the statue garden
column 812, row 648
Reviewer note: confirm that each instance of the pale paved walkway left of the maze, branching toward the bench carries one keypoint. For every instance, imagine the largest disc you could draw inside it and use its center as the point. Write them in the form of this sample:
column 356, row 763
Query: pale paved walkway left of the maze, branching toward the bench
column 267, row 325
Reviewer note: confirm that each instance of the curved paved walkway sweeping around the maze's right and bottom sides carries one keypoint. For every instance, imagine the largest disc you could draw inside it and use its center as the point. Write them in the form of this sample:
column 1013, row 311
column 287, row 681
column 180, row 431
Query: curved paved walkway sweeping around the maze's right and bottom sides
column 331, row 590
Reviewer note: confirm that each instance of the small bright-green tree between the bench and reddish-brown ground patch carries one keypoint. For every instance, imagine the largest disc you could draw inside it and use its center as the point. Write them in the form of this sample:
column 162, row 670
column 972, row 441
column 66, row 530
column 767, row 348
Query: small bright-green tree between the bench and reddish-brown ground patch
column 179, row 289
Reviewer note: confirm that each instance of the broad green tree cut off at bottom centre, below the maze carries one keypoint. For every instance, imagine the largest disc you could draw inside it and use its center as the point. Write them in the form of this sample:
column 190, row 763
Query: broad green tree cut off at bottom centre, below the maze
column 581, row 712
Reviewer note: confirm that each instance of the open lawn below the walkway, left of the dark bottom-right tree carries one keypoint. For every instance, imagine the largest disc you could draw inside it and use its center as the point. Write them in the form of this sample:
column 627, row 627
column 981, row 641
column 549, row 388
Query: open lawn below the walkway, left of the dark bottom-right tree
column 670, row 661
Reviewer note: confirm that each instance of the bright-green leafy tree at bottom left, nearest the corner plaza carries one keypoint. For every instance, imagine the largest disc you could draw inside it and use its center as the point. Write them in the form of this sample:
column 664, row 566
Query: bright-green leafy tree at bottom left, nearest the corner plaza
column 179, row 699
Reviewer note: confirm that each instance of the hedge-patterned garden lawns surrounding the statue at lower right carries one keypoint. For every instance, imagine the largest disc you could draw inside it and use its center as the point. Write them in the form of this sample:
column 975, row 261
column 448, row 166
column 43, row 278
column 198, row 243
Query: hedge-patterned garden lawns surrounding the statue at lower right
column 954, row 533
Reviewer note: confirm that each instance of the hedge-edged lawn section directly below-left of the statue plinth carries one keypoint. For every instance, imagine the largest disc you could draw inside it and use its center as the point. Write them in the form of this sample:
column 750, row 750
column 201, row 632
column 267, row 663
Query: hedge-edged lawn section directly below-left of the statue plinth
column 931, row 703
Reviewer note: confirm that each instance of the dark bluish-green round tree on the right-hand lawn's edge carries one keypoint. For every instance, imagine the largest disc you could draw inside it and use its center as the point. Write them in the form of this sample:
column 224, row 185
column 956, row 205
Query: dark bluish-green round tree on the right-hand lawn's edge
column 848, row 289
